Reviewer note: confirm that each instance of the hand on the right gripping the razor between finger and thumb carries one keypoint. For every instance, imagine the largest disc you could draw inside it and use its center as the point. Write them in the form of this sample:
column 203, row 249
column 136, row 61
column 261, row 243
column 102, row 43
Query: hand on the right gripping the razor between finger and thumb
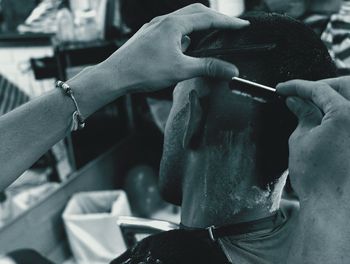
column 319, row 161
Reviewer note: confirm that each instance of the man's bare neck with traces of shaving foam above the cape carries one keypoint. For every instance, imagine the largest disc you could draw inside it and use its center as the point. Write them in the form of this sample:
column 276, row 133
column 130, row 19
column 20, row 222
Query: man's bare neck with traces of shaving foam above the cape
column 224, row 190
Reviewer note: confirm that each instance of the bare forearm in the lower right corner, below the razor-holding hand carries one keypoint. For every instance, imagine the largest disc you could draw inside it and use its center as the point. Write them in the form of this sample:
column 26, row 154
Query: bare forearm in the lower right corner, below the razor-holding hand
column 322, row 234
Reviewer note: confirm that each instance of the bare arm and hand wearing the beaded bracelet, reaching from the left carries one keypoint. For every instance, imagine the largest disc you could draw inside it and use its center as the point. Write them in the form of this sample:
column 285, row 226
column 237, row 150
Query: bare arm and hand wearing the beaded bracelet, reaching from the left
column 151, row 60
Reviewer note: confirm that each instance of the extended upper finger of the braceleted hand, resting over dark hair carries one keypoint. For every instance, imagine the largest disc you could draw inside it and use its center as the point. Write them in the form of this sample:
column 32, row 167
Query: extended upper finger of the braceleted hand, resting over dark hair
column 209, row 20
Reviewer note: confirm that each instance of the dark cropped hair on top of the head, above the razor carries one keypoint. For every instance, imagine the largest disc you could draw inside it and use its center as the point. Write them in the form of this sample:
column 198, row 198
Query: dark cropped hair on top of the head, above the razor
column 292, row 50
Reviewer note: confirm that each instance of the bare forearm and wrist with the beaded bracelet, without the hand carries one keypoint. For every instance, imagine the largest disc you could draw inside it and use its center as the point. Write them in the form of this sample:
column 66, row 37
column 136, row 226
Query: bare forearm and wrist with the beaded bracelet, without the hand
column 30, row 130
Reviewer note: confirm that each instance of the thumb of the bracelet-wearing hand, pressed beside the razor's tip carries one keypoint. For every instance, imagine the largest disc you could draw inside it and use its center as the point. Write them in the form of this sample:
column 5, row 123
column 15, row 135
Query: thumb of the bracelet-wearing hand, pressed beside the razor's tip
column 210, row 67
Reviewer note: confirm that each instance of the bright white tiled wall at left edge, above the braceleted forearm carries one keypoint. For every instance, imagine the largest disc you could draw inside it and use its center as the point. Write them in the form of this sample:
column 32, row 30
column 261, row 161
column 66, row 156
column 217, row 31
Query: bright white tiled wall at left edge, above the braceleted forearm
column 15, row 66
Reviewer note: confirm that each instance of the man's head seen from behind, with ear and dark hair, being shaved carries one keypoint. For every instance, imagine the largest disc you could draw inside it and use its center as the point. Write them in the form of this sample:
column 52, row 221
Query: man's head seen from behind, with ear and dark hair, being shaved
column 245, row 141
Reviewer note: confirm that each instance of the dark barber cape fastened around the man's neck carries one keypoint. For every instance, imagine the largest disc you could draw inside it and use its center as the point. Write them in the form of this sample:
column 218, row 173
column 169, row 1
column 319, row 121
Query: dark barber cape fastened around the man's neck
column 262, row 241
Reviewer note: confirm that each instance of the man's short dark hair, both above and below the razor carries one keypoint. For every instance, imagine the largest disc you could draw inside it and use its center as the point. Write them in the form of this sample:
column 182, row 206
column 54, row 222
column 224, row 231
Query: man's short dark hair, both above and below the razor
column 273, row 49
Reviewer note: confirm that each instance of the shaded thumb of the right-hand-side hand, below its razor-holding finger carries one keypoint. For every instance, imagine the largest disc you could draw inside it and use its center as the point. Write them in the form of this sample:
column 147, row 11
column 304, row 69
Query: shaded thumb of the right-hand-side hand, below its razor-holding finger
column 308, row 115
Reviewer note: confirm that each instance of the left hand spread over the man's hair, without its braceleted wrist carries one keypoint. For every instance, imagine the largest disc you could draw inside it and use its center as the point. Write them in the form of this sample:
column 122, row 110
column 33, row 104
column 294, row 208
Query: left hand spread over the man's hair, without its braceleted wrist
column 153, row 58
